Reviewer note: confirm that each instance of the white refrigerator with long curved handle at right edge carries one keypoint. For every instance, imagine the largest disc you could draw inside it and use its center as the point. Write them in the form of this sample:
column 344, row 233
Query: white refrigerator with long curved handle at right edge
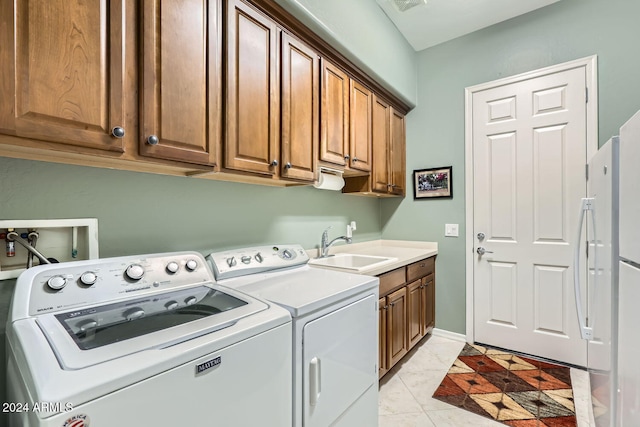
column 608, row 305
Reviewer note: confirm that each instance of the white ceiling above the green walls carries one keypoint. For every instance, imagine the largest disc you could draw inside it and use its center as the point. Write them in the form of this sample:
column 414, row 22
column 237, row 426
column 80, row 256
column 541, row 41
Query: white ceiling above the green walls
column 442, row 20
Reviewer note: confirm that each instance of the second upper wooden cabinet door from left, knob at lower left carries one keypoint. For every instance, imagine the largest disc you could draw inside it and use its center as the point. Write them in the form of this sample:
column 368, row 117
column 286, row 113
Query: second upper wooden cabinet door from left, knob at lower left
column 180, row 83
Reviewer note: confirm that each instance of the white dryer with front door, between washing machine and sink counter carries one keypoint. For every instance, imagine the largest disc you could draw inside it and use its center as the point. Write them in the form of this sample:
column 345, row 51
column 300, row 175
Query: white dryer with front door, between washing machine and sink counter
column 335, row 330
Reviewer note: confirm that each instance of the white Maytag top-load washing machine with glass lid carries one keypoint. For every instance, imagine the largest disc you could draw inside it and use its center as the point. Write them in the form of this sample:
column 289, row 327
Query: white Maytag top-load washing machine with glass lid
column 145, row 340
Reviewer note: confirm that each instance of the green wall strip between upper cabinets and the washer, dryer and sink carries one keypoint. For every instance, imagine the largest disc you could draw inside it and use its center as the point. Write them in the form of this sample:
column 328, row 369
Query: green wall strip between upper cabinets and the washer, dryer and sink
column 144, row 213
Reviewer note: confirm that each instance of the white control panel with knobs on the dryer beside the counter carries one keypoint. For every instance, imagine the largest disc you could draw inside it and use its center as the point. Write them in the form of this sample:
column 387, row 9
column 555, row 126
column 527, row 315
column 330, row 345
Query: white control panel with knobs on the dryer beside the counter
column 240, row 262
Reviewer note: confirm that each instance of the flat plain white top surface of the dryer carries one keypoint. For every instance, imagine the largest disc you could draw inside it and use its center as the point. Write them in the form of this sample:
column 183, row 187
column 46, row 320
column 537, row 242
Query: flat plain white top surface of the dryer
column 304, row 289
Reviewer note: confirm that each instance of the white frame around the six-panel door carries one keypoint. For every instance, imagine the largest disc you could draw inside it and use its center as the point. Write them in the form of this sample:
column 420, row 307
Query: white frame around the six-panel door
column 590, row 64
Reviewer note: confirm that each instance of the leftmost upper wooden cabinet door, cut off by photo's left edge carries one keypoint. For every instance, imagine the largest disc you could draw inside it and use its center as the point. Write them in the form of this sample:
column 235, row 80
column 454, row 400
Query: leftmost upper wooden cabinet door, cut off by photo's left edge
column 62, row 67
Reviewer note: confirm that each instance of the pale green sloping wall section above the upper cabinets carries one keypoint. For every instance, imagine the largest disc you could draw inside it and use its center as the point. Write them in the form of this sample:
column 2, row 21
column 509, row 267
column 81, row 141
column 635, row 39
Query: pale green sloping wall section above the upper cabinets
column 360, row 30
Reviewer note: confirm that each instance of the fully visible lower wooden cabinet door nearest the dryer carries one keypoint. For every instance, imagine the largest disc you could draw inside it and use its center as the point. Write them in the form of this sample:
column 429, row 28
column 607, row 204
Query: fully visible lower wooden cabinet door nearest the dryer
column 397, row 325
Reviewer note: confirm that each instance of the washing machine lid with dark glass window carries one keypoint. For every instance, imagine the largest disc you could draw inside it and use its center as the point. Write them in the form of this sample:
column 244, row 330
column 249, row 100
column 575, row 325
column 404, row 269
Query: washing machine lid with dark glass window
column 88, row 336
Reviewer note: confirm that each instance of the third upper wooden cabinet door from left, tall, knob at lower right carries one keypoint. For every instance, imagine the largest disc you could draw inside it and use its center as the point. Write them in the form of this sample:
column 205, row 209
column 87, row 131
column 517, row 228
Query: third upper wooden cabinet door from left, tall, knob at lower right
column 252, row 137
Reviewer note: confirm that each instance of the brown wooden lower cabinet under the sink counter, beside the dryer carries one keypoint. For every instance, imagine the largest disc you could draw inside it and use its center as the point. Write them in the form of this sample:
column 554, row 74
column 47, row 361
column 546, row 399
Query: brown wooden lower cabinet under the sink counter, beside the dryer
column 406, row 310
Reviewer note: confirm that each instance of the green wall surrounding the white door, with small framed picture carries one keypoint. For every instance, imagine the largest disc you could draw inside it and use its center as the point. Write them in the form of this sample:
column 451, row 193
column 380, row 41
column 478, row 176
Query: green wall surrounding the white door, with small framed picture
column 564, row 31
